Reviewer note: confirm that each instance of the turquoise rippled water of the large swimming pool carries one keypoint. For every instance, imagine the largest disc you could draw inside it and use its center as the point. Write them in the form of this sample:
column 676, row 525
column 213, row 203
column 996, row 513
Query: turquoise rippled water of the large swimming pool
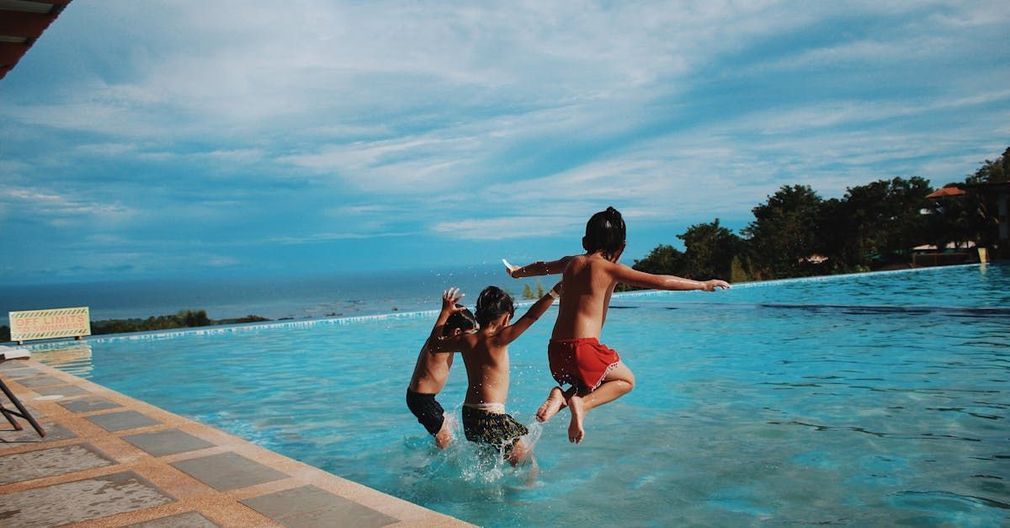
column 864, row 400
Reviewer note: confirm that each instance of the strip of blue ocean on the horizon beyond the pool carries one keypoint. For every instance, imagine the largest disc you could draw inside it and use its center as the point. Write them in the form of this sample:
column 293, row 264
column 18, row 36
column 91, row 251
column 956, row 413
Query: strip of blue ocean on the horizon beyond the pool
column 307, row 297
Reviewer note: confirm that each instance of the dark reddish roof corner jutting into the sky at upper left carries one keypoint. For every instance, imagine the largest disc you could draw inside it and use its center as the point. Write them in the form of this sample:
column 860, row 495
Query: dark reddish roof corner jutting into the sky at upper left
column 22, row 24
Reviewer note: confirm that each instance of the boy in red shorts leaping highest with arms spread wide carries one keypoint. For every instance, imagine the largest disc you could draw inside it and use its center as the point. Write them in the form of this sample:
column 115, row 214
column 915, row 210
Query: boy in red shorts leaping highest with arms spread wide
column 577, row 358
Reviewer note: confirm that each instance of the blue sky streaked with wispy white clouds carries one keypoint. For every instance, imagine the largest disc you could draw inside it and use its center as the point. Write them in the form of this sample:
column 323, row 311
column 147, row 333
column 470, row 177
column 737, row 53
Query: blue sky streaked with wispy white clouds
column 167, row 139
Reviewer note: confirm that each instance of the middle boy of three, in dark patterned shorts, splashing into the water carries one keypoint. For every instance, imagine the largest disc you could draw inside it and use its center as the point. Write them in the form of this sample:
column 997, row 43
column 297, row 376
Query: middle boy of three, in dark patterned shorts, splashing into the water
column 486, row 356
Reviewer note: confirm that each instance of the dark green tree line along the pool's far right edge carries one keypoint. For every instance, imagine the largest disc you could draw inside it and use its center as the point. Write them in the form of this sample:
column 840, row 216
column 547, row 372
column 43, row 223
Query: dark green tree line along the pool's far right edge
column 798, row 234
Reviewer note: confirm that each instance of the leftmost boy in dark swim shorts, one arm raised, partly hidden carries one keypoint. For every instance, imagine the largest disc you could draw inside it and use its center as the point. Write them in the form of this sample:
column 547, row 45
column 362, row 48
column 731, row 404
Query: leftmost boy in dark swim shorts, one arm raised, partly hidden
column 432, row 370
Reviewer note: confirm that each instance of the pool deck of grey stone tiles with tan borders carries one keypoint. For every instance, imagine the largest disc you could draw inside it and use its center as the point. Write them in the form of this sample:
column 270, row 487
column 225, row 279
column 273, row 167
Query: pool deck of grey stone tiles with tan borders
column 110, row 461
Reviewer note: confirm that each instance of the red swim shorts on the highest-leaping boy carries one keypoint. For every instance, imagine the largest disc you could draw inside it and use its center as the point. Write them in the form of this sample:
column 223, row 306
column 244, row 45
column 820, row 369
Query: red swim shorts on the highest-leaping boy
column 582, row 363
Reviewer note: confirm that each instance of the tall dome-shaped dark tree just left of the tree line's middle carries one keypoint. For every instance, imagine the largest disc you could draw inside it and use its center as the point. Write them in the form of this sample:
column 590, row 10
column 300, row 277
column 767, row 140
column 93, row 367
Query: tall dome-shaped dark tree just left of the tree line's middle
column 784, row 232
